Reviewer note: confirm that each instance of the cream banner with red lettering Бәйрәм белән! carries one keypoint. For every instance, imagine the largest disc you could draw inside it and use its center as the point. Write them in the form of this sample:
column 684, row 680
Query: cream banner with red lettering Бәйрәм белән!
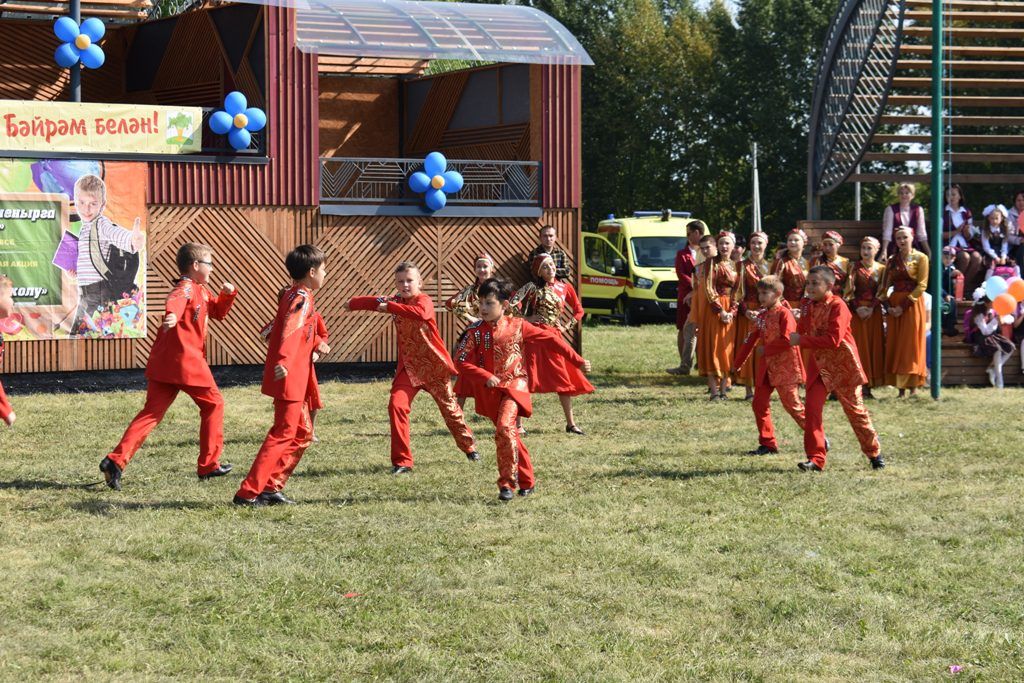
column 93, row 127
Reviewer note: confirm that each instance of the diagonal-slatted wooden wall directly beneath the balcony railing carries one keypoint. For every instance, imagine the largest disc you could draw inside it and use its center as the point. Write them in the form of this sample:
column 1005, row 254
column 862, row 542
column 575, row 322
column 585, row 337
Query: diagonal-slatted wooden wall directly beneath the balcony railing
column 363, row 252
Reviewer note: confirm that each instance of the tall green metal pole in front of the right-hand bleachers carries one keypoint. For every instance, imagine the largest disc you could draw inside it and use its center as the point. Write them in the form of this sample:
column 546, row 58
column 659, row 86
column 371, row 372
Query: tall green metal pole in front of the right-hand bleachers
column 935, row 278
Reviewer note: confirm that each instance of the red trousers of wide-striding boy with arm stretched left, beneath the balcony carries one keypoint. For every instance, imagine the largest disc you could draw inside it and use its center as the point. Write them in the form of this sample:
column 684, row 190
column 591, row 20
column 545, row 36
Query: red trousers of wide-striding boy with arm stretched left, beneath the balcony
column 403, row 394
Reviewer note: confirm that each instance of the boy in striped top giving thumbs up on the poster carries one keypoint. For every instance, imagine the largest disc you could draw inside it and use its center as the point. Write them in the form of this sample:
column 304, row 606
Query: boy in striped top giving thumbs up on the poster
column 101, row 281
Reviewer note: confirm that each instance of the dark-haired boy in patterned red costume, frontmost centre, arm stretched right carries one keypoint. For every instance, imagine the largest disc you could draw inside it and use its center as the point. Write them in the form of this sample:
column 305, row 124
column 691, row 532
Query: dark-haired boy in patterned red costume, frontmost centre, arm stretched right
column 492, row 353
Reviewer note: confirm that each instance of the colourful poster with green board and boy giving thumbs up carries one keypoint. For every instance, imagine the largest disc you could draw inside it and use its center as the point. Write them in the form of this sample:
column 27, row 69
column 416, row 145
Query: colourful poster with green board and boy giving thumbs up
column 73, row 241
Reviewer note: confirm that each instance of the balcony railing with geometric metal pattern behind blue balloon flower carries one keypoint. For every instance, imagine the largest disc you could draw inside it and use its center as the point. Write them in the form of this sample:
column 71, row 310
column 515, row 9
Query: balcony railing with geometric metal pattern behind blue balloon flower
column 377, row 181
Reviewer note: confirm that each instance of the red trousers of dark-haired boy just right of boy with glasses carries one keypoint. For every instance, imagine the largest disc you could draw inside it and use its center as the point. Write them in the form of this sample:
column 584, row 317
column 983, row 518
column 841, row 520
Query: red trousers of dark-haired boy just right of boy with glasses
column 282, row 450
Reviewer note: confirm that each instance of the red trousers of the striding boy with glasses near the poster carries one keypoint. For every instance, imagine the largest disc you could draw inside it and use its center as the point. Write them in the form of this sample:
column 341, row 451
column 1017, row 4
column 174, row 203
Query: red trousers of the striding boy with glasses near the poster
column 159, row 397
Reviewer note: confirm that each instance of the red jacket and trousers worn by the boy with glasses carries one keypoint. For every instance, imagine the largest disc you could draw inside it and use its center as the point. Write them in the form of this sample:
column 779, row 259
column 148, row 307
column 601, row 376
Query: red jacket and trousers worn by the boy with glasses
column 178, row 363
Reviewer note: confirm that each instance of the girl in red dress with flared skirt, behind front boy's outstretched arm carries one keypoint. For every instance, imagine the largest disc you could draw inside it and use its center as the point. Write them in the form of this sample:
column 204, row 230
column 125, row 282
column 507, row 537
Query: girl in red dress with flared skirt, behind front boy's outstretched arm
column 544, row 307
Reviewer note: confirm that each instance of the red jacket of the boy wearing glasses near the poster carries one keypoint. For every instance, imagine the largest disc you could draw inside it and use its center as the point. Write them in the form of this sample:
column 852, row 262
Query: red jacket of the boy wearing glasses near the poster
column 179, row 355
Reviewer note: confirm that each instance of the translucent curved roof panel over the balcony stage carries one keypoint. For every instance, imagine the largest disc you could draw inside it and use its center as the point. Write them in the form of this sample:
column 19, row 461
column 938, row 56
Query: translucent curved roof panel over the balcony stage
column 433, row 31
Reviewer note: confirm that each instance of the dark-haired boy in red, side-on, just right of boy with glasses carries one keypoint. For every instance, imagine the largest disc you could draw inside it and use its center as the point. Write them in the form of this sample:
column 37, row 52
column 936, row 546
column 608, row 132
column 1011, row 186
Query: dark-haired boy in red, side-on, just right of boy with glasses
column 287, row 376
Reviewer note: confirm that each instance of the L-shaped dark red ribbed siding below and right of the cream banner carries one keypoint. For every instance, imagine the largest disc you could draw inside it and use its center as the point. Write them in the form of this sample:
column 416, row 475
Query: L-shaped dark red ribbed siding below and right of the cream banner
column 292, row 178
